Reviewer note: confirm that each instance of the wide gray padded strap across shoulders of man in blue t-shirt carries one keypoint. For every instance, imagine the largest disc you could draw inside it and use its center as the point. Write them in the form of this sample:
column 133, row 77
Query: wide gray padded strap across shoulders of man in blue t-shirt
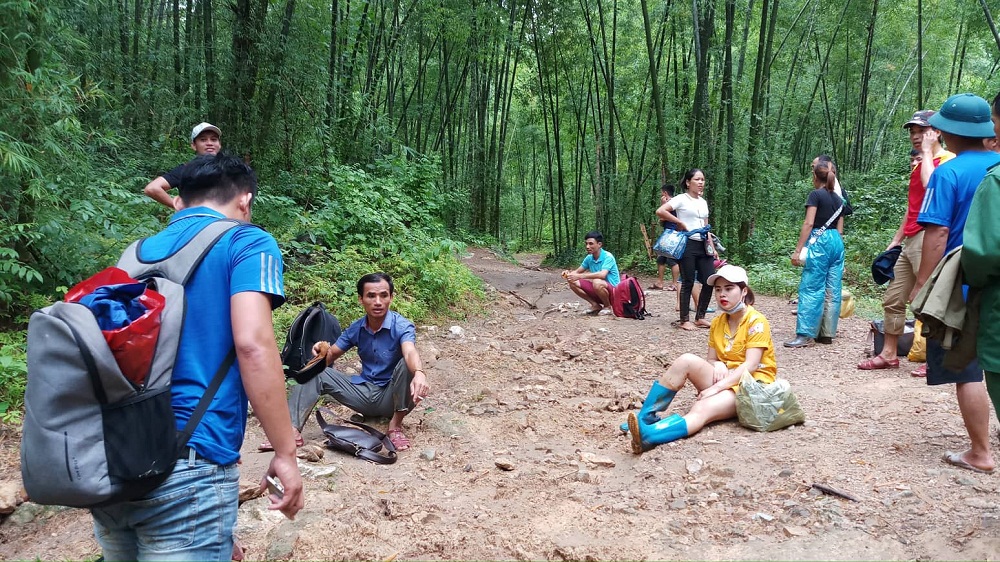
column 181, row 265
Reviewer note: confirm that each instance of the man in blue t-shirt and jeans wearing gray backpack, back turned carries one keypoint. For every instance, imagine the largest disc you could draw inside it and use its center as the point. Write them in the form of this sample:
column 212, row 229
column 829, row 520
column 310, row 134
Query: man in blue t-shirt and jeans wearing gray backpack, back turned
column 229, row 300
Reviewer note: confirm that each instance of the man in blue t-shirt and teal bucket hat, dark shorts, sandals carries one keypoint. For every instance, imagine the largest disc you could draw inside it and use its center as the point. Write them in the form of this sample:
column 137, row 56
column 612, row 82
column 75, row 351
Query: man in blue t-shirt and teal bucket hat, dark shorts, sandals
column 964, row 120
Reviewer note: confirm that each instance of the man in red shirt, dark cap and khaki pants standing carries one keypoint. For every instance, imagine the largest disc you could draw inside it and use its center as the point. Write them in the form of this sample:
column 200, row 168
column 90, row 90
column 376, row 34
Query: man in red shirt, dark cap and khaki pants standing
column 910, row 234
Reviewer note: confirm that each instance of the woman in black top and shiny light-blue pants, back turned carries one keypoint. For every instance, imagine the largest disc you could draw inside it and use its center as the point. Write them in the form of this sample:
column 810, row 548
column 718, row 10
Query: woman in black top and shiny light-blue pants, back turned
column 820, row 288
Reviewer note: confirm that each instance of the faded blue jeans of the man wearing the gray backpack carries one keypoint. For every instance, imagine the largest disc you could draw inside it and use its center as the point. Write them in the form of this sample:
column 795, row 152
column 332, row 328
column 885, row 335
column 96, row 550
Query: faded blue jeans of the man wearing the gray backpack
column 189, row 517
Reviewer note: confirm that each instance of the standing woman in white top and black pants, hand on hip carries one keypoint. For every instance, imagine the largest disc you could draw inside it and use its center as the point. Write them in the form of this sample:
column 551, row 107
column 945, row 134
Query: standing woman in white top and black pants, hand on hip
column 689, row 211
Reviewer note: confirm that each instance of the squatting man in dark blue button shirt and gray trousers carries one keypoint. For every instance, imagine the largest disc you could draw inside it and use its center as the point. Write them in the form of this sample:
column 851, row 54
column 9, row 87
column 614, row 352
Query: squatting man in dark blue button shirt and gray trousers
column 392, row 381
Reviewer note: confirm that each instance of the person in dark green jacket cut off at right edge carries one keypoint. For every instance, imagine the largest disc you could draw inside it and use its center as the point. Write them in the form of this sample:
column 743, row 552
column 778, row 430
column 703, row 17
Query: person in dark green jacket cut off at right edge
column 981, row 267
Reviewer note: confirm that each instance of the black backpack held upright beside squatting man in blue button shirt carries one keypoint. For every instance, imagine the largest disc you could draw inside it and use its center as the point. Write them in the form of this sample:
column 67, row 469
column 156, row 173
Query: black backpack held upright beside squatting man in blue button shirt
column 313, row 324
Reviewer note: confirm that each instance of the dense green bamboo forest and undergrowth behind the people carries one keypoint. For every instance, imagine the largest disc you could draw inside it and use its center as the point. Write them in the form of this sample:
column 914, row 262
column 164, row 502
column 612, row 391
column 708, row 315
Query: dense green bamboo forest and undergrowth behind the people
column 388, row 133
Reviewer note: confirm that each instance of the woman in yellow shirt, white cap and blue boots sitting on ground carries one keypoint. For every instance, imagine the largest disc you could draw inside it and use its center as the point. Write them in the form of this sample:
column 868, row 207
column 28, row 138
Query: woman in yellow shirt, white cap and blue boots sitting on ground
column 739, row 341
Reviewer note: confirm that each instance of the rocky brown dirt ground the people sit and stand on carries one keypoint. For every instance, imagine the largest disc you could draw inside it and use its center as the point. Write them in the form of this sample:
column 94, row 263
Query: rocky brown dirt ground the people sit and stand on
column 517, row 456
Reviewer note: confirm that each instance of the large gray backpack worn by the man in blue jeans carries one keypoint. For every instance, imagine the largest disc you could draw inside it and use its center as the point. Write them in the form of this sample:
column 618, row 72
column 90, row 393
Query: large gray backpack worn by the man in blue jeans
column 91, row 437
